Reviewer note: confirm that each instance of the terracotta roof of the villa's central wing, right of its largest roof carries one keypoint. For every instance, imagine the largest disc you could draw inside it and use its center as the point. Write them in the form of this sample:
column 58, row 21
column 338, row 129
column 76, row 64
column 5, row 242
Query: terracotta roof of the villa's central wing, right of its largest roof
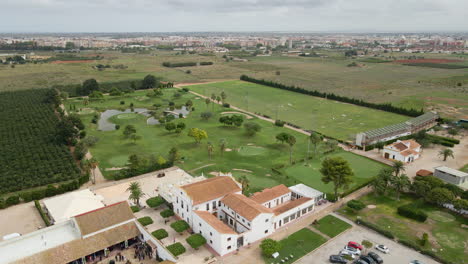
column 247, row 208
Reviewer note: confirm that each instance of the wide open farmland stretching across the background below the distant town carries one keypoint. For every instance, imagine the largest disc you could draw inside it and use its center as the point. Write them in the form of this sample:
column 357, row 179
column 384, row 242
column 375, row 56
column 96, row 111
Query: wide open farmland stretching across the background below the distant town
column 407, row 86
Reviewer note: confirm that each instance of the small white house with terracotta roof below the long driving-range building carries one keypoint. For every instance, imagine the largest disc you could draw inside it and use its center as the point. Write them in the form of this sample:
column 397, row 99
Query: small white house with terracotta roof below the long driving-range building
column 403, row 150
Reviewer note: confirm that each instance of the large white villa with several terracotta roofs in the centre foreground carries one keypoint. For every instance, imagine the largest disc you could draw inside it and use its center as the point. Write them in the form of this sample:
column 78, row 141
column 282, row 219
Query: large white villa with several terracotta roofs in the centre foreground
column 217, row 209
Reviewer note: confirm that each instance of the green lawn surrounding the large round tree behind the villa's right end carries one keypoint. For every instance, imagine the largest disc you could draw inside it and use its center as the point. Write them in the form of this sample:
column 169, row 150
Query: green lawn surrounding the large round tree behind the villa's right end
column 363, row 169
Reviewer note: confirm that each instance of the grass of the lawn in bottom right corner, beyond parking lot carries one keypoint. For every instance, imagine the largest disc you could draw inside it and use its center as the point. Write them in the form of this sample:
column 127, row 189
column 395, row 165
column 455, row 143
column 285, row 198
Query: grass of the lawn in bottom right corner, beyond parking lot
column 446, row 235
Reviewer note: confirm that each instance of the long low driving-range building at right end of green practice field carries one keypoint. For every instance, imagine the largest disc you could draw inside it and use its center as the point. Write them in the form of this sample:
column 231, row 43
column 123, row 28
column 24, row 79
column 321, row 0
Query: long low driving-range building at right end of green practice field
column 414, row 125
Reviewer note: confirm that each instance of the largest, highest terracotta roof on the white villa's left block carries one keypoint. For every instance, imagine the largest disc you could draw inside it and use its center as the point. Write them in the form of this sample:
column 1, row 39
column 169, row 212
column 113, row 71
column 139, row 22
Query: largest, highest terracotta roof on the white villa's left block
column 211, row 189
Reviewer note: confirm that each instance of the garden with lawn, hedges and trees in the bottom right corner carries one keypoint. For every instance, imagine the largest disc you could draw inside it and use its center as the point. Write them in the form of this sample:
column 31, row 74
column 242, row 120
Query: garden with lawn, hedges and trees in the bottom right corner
column 442, row 234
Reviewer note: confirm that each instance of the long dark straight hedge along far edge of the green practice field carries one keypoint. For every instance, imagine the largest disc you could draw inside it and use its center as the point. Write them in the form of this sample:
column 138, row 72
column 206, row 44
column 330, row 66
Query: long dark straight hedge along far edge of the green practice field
column 384, row 107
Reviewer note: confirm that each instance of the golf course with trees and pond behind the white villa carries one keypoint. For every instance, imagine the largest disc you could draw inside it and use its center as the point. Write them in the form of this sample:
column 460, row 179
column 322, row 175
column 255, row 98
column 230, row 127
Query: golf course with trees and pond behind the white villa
column 227, row 148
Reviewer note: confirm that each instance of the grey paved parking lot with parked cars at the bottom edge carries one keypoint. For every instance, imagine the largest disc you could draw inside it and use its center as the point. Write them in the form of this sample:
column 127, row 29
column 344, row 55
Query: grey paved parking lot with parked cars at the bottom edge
column 399, row 254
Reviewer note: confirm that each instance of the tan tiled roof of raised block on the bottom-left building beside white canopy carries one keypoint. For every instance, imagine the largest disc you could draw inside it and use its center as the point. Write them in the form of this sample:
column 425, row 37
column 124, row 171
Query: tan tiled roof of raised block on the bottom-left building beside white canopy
column 101, row 218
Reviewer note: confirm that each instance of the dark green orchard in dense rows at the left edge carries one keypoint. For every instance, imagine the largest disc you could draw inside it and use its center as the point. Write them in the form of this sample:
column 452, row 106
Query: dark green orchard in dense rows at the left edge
column 31, row 156
